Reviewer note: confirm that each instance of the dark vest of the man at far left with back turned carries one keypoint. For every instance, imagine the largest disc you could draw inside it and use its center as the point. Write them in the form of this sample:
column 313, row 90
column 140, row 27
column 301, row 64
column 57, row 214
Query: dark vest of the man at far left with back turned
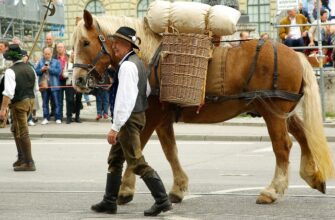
column 25, row 81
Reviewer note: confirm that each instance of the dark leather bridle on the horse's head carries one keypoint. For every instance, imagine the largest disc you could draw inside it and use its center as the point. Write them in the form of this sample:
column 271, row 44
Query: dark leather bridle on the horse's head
column 91, row 68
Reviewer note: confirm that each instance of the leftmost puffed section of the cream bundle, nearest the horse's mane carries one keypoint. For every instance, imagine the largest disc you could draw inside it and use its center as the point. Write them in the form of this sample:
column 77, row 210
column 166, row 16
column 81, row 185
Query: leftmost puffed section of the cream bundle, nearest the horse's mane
column 158, row 16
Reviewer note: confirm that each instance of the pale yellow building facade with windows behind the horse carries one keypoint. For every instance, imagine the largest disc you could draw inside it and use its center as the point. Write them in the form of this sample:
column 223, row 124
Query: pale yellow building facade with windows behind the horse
column 261, row 12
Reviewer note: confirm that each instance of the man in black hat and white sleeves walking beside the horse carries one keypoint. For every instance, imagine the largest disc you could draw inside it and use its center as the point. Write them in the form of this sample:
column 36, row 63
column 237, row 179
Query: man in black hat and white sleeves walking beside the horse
column 128, row 105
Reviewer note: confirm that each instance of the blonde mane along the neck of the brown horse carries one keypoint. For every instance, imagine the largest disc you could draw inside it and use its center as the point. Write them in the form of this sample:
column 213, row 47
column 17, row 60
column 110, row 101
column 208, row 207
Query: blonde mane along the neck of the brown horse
column 149, row 40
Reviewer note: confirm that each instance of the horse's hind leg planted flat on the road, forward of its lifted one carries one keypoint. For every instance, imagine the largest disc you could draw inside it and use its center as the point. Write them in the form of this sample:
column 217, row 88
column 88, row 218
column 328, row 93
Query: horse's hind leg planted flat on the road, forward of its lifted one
column 281, row 144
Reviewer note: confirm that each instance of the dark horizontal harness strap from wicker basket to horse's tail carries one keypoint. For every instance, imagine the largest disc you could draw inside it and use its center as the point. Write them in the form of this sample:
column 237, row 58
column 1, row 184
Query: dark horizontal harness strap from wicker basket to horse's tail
column 262, row 94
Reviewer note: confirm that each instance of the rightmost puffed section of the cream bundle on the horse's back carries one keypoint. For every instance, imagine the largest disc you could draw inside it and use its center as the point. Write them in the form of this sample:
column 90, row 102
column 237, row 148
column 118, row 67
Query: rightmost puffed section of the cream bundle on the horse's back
column 222, row 20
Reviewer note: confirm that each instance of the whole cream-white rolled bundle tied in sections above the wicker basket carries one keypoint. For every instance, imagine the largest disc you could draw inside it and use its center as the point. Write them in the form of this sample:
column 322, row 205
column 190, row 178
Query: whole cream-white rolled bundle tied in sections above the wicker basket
column 192, row 17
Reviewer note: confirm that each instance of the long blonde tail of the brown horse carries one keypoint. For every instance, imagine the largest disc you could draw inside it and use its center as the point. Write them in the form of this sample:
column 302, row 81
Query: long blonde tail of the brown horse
column 312, row 122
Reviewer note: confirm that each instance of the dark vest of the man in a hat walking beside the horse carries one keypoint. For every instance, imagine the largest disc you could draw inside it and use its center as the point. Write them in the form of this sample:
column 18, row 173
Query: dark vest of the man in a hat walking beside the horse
column 141, row 100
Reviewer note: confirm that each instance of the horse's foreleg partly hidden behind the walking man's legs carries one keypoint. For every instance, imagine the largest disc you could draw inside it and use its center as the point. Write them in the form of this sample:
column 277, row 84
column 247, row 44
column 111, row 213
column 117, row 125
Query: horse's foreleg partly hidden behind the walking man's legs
column 127, row 188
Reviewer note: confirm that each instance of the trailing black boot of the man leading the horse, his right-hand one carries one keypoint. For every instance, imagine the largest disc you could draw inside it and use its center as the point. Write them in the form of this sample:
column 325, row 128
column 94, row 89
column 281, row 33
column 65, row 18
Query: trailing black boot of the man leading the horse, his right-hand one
column 156, row 187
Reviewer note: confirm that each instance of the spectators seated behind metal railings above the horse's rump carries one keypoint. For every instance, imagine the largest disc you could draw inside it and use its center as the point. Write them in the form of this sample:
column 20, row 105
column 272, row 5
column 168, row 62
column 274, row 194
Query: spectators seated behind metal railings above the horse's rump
column 303, row 36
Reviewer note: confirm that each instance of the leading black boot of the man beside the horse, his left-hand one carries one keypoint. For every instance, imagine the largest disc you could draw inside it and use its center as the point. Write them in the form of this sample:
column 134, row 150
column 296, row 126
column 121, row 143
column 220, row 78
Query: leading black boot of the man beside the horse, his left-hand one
column 108, row 204
